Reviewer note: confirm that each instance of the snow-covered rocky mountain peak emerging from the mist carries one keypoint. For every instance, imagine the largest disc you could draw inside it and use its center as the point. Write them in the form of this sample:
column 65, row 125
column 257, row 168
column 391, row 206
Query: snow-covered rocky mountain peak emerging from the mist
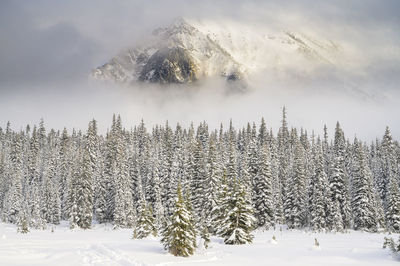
column 188, row 51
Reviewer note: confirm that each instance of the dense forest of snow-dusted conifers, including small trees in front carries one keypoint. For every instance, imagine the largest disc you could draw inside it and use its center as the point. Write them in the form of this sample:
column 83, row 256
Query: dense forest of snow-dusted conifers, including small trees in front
column 179, row 183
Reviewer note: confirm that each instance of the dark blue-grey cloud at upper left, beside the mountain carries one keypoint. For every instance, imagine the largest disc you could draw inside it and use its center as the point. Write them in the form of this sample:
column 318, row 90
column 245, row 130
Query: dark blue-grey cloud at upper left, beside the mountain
column 41, row 55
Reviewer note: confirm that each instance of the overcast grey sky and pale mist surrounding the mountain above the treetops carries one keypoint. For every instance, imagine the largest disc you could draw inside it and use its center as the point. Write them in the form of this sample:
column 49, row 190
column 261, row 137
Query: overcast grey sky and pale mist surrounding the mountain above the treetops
column 48, row 48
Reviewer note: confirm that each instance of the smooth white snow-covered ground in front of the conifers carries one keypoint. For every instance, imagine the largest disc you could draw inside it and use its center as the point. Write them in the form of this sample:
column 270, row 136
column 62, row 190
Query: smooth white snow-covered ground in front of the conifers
column 104, row 246
